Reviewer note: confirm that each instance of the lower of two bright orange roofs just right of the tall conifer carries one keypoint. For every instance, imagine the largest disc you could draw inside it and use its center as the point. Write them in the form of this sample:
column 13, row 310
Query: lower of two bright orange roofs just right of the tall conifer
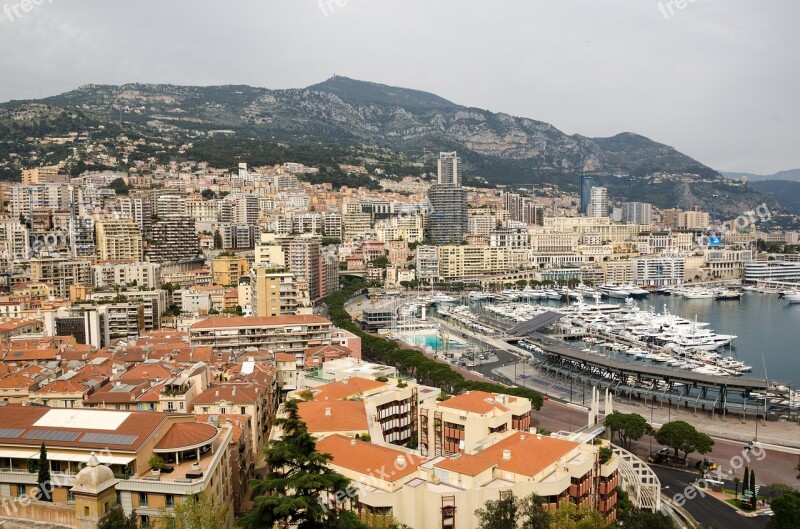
column 367, row 458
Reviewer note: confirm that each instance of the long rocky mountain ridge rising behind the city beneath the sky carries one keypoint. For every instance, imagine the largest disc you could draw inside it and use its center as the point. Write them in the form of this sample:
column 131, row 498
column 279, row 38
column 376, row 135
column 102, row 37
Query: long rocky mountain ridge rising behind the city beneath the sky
column 498, row 147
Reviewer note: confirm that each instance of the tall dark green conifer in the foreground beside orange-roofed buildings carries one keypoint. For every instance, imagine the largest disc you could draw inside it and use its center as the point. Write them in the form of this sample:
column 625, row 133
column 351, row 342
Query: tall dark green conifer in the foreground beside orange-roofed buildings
column 294, row 492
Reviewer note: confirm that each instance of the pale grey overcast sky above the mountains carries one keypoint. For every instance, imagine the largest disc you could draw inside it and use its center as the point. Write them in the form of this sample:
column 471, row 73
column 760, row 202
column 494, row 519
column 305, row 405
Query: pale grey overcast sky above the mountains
column 716, row 79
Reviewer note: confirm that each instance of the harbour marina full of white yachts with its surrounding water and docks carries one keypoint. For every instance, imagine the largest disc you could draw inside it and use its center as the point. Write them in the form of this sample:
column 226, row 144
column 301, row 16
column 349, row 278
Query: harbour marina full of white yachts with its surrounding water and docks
column 710, row 348
